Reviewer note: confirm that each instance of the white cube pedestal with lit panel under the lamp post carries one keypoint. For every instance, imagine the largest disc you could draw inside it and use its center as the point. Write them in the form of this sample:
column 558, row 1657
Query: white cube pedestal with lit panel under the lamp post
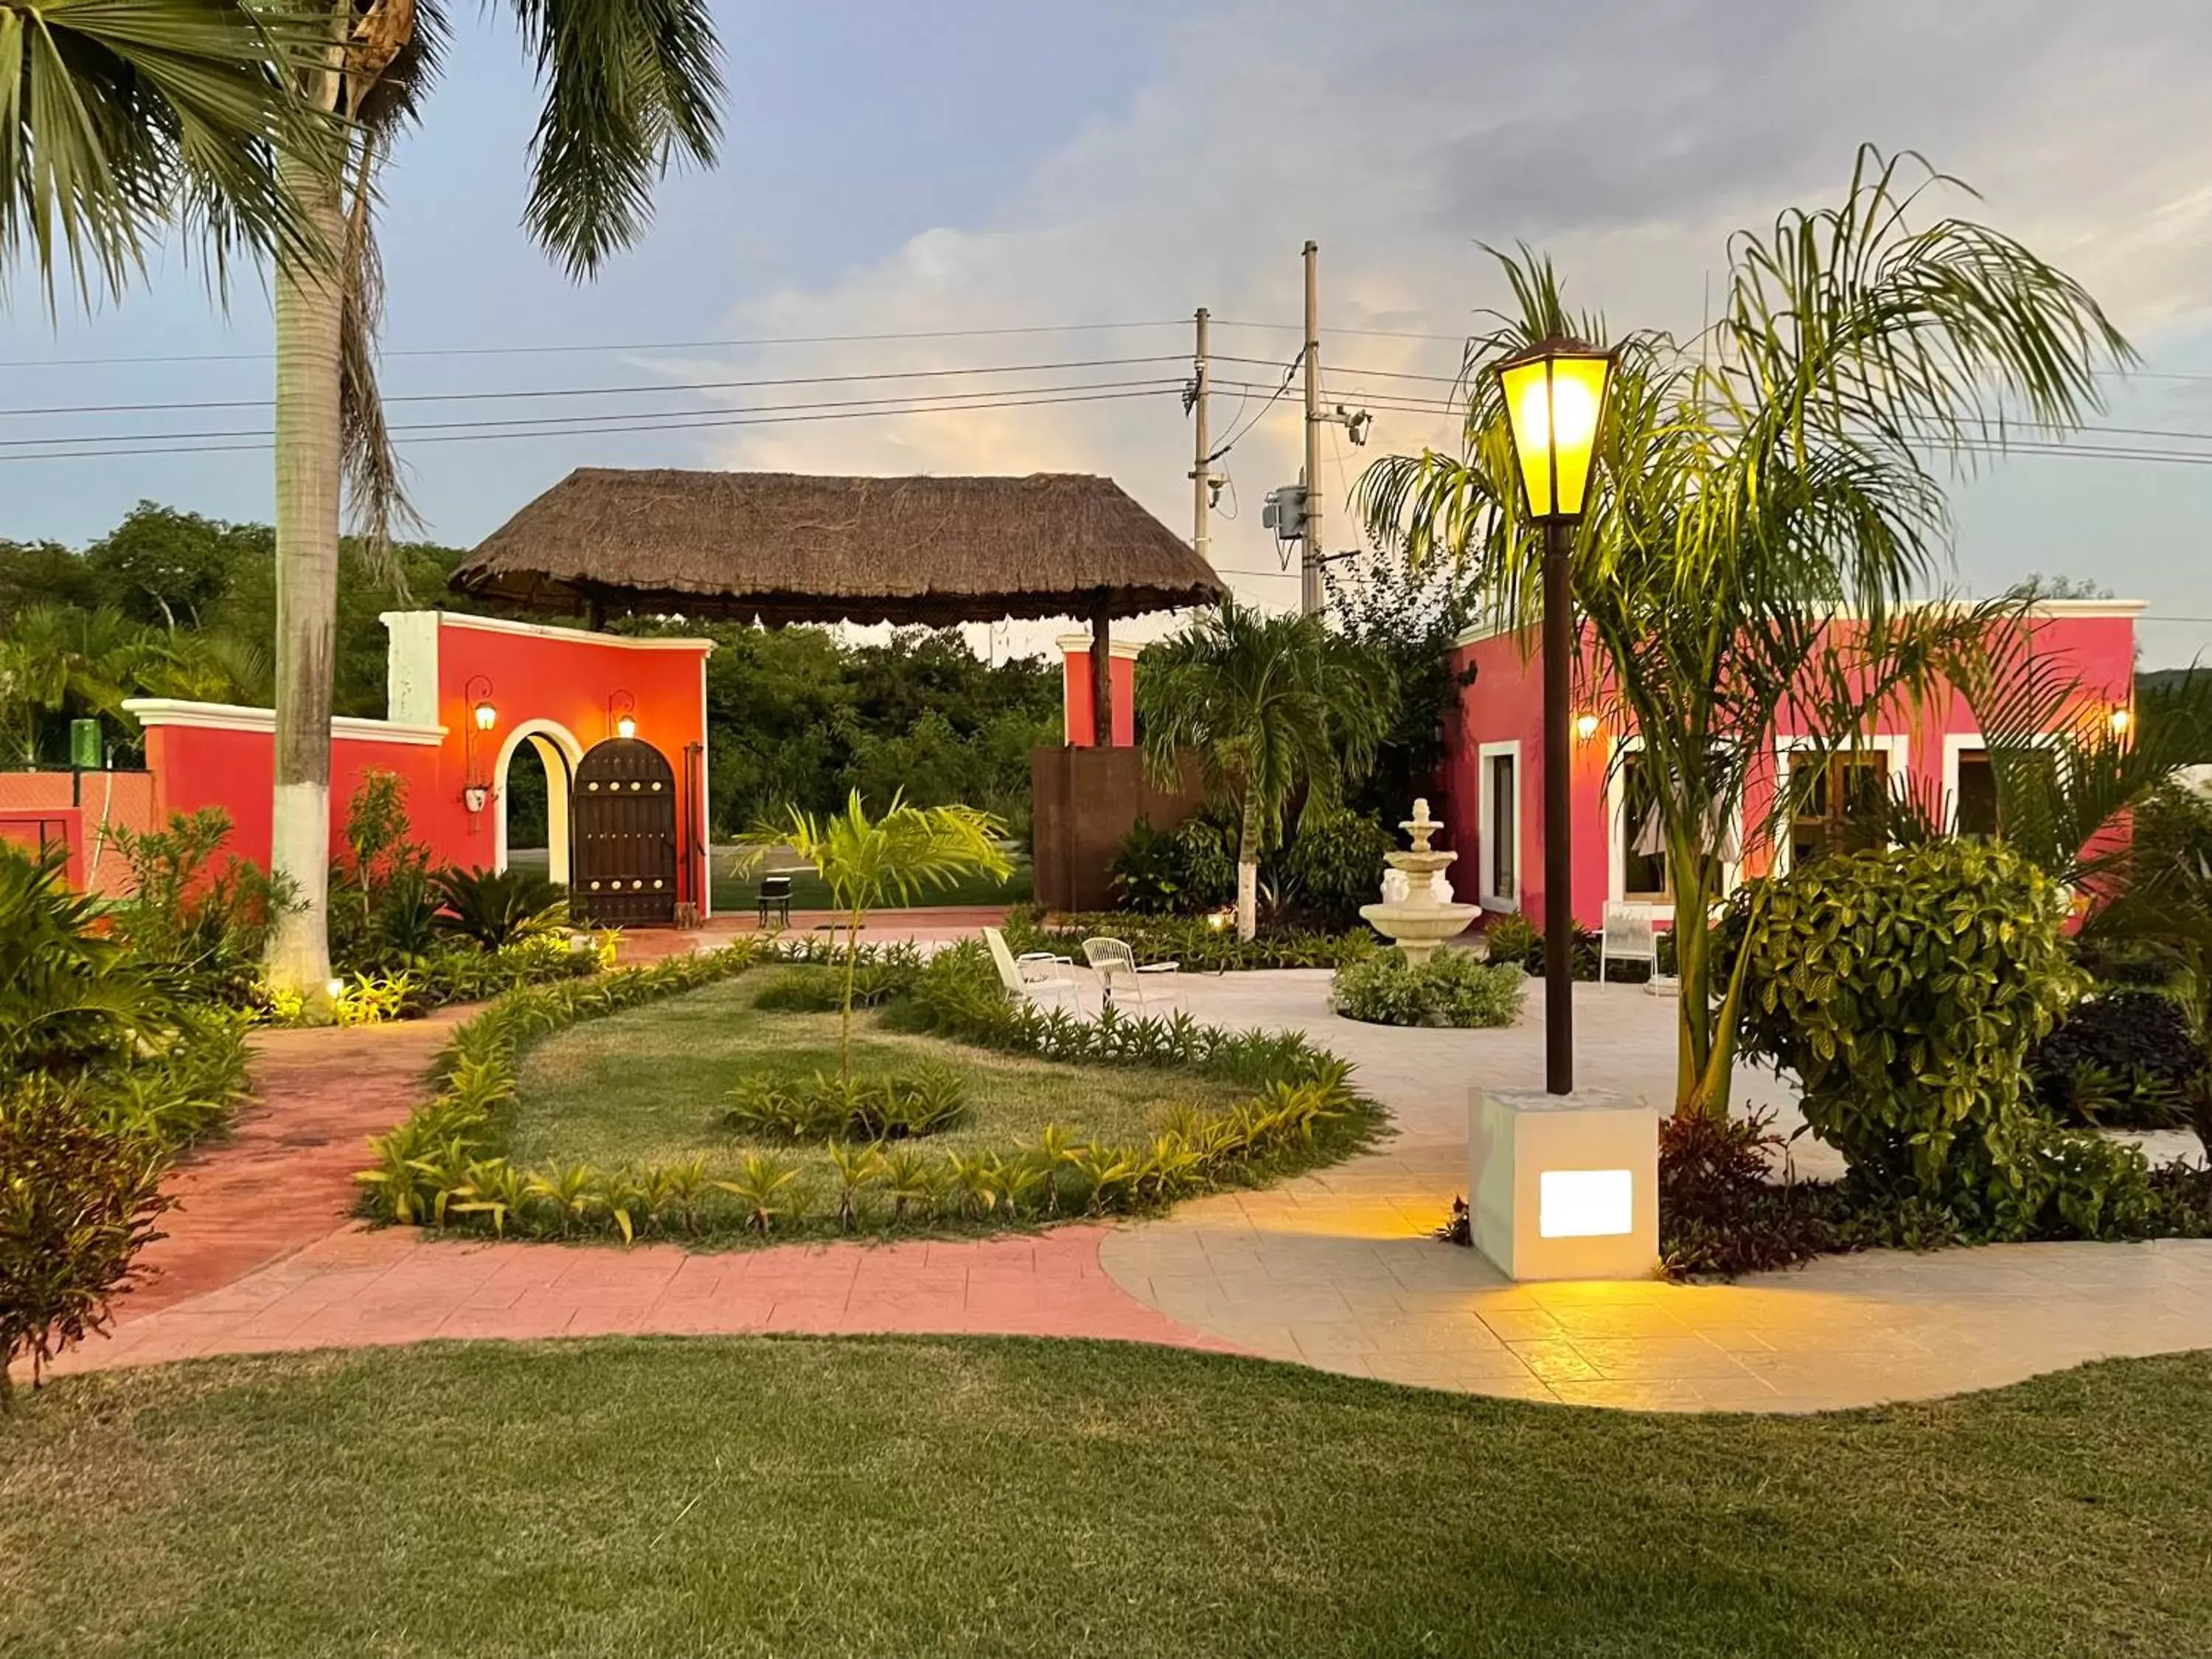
column 1565, row 1187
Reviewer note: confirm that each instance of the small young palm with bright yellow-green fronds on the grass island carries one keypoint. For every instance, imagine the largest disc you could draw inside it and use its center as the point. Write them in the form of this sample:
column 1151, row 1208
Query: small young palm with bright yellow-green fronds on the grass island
column 868, row 862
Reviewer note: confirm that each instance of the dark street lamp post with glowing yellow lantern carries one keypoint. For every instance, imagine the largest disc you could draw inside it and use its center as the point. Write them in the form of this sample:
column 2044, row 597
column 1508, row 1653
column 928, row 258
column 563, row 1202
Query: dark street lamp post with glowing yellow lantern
column 1556, row 399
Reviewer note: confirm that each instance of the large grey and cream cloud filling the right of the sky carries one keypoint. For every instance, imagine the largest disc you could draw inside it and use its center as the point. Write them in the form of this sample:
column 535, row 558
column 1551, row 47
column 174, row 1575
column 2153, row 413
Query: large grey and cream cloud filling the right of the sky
column 1627, row 140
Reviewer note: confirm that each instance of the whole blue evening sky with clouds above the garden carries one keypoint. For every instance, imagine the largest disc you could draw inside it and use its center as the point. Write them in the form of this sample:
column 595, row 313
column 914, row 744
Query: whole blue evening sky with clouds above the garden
column 1094, row 174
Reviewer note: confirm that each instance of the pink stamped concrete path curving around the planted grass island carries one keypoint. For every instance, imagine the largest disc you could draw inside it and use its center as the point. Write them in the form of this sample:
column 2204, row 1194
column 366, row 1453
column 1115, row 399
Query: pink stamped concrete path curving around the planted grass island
column 264, row 1258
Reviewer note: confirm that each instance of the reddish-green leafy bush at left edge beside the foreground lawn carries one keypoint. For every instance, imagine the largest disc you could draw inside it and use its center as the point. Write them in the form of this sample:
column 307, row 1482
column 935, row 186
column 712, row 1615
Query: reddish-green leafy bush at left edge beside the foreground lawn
column 79, row 1200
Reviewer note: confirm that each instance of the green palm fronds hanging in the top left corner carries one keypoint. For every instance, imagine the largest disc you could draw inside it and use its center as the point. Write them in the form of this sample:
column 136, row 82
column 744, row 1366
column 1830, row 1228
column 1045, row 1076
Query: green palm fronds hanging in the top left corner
column 123, row 121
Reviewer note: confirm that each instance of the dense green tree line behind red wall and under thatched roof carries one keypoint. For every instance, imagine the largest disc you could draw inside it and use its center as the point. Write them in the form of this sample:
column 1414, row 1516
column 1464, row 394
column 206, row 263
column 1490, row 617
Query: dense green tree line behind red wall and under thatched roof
column 180, row 605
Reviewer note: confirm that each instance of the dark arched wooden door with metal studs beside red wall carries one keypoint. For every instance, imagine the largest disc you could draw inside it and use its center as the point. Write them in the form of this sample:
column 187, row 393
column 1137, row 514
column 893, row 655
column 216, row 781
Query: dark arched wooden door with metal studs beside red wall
column 625, row 837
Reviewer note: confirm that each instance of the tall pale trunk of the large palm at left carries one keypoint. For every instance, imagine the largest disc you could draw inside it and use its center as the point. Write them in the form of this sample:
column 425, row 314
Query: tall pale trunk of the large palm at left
column 309, row 320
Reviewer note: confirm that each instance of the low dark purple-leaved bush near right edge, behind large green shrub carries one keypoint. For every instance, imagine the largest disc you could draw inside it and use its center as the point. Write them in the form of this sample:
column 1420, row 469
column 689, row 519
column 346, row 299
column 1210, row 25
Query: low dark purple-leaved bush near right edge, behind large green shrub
column 2122, row 1058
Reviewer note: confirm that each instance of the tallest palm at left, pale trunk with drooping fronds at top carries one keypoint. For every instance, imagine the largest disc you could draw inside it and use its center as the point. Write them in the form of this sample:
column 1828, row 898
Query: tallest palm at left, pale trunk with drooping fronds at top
column 629, row 85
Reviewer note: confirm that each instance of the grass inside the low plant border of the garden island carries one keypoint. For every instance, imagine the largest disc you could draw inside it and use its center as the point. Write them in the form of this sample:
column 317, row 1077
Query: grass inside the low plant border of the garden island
column 651, row 1085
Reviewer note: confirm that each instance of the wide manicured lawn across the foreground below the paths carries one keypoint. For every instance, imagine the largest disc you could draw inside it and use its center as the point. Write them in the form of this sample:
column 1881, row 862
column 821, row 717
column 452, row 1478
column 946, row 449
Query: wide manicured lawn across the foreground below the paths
column 908, row 1496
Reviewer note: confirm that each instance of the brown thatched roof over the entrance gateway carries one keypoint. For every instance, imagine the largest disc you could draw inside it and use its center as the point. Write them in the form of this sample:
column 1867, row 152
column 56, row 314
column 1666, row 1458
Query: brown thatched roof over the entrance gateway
column 789, row 547
